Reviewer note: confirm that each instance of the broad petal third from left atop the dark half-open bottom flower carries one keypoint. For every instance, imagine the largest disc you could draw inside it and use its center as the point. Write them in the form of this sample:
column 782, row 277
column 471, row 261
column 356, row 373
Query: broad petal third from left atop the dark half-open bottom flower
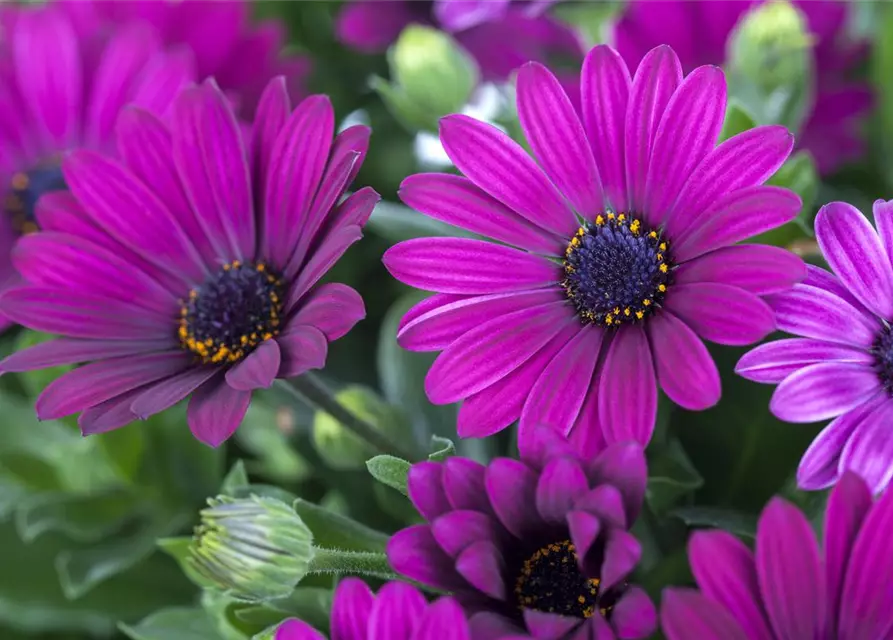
column 511, row 488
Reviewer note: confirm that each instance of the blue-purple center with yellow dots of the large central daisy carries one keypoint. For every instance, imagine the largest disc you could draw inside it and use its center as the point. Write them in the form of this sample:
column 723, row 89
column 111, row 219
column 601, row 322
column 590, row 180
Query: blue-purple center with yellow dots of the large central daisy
column 616, row 270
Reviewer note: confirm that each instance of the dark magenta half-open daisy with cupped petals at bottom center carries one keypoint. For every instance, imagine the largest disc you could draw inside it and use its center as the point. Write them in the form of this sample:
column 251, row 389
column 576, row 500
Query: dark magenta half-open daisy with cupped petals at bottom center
column 539, row 546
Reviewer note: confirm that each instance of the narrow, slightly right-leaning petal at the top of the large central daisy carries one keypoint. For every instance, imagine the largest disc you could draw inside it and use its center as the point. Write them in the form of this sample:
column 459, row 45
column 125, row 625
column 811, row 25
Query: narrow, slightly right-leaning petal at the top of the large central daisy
column 654, row 83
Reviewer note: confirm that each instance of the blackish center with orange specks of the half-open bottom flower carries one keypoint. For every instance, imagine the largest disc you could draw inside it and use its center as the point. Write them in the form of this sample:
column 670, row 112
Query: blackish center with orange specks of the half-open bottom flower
column 551, row 581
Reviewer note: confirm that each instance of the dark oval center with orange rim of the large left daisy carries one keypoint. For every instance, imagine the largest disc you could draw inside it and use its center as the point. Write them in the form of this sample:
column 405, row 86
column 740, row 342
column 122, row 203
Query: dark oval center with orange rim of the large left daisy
column 233, row 312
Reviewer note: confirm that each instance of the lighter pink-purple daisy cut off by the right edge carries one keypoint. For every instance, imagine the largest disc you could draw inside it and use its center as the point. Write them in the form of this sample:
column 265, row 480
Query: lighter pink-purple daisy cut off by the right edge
column 841, row 366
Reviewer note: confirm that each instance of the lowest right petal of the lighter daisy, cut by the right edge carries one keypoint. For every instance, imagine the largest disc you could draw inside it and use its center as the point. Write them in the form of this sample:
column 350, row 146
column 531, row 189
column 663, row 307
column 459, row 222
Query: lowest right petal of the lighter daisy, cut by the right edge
column 869, row 451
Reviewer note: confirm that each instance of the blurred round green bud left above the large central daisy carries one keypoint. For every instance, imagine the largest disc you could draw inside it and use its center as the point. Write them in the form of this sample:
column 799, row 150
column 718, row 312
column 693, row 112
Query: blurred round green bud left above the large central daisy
column 431, row 77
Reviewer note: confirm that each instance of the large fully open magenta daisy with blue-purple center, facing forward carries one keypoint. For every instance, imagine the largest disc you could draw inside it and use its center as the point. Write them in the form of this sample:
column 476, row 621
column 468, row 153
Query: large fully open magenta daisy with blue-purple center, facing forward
column 626, row 257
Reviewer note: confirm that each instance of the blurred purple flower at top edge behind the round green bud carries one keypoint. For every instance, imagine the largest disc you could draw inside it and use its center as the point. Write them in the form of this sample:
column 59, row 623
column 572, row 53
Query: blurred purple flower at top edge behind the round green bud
column 500, row 34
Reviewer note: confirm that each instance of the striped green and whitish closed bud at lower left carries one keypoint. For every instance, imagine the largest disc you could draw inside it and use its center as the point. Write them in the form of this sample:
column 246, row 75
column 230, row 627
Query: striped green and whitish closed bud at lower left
column 253, row 549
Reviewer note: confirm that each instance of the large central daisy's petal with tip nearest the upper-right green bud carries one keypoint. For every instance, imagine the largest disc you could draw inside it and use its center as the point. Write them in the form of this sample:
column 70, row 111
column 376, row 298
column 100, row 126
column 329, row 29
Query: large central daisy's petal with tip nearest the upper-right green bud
column 687, row 133
